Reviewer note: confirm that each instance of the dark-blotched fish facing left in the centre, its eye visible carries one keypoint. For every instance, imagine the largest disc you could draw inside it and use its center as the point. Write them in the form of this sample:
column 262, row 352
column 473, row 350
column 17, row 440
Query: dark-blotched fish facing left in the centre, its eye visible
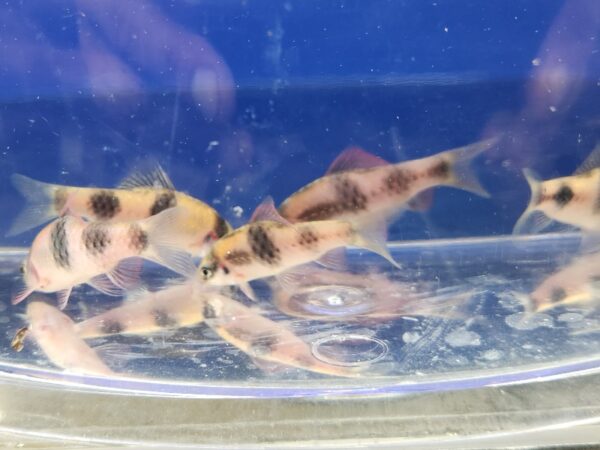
column 271, row 246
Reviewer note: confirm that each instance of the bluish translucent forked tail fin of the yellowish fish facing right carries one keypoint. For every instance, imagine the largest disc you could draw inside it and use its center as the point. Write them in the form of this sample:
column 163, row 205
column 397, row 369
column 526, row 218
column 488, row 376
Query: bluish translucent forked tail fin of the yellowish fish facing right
column 39, row 207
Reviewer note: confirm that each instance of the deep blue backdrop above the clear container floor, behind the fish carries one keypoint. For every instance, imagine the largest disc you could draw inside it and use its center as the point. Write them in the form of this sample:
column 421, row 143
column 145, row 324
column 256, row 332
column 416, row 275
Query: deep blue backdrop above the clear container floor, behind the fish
column 90, row 89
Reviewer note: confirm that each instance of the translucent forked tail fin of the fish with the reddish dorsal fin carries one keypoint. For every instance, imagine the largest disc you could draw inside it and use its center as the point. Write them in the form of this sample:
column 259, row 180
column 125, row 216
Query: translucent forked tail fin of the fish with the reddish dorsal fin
column 461, row 174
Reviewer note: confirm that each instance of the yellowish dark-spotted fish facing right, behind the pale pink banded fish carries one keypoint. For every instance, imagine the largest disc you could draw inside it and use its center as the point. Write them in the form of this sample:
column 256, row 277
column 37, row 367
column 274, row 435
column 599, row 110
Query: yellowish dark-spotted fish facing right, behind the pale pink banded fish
column 139, row 196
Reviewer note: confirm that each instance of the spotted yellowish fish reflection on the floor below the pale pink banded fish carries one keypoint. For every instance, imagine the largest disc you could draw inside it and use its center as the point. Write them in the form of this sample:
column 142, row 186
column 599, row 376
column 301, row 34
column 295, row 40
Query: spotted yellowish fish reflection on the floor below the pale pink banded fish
column 145, row 312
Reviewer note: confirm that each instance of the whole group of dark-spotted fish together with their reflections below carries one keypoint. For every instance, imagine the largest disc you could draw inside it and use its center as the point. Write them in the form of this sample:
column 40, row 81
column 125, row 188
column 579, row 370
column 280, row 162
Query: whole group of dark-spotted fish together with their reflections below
column 99, row 237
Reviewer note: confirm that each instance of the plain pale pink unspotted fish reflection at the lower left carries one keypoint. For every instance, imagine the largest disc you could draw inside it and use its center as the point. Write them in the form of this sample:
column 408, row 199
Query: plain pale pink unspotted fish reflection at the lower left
column 55, row 334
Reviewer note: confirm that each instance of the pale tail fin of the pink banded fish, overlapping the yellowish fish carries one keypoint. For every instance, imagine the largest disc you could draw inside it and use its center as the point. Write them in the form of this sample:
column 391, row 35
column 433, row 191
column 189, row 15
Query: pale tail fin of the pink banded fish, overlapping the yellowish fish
column 164, row 247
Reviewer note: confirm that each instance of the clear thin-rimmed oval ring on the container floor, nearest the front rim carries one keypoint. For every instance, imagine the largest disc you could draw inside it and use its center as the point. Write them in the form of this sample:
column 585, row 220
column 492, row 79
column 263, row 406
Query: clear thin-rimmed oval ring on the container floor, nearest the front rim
column 349, row 350
